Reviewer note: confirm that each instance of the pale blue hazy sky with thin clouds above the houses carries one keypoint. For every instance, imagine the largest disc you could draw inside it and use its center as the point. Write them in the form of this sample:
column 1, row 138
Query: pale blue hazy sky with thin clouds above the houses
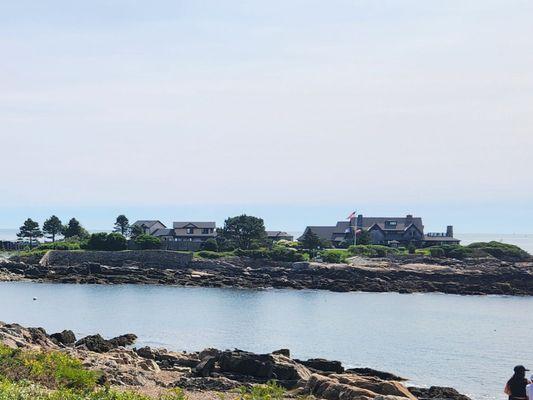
column 298, row 110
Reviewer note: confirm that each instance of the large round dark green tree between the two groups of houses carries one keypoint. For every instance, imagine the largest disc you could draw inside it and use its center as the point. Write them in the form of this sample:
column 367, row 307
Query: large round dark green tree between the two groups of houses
column 244, row 230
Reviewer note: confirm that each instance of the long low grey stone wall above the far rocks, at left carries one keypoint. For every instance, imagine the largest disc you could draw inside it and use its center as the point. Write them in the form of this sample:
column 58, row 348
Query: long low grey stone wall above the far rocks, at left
column 142, row 258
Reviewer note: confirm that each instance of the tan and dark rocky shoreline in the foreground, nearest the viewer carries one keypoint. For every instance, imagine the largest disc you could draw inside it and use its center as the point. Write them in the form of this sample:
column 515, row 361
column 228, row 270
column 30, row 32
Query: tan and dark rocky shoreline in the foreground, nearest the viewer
column 213, row 373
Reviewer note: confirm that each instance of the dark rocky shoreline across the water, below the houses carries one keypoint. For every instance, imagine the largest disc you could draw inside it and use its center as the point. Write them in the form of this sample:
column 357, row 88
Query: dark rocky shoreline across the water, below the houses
column 404, row 275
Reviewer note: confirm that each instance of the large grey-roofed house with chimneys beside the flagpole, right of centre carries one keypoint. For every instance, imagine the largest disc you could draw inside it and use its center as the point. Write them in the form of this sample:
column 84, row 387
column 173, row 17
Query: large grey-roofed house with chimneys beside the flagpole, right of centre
column 384, row 231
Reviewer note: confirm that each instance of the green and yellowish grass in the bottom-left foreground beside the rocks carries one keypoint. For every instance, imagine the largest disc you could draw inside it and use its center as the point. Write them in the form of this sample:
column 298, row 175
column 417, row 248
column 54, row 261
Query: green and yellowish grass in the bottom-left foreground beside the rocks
column 34, row 375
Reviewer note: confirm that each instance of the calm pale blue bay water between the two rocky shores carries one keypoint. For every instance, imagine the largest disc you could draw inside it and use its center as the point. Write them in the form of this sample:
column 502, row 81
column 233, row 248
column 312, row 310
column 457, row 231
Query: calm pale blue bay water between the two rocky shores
column 468, row 342
